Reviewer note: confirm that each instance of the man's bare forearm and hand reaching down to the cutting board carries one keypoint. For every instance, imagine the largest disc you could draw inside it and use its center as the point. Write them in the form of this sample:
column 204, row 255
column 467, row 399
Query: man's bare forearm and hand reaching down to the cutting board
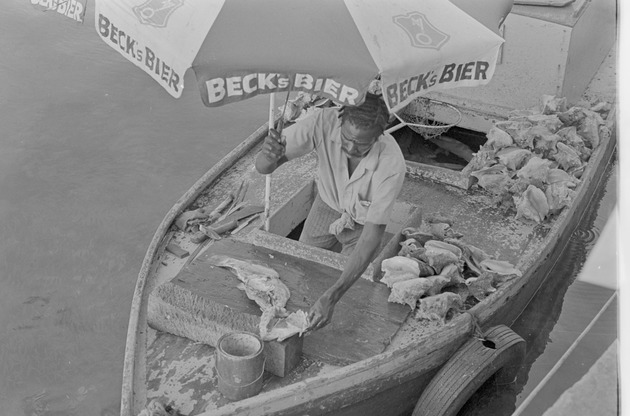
column 321, row 312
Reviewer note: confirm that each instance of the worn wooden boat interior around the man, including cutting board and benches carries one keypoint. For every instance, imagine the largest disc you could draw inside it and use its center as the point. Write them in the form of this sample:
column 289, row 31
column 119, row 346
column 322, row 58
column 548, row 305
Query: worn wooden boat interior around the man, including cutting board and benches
column 181, row 333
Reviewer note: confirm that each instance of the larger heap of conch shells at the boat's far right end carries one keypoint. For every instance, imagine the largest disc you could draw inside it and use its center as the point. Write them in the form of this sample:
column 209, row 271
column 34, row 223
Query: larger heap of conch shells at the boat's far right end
column 533, row 161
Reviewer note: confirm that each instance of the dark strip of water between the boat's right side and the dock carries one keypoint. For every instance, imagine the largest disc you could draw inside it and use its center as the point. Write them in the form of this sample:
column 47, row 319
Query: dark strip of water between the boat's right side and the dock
column 540, row 317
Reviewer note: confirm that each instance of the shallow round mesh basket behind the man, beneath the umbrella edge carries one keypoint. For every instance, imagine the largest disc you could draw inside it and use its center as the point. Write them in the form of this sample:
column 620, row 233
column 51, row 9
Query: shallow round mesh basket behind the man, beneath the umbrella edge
column 421, row 116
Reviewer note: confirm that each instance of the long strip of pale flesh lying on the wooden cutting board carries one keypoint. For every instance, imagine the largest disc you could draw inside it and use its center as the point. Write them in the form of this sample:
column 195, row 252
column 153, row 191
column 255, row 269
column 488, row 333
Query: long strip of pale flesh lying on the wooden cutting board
column 262, row 284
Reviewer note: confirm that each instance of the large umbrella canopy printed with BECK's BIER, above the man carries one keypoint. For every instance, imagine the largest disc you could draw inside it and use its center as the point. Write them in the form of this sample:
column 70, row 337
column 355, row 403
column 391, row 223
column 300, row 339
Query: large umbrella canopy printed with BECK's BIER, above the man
column 332, row 48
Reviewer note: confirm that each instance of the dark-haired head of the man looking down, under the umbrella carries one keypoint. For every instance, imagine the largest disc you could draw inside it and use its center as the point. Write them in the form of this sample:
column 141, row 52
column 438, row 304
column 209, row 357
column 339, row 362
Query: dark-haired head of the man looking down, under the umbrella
column 362, row 125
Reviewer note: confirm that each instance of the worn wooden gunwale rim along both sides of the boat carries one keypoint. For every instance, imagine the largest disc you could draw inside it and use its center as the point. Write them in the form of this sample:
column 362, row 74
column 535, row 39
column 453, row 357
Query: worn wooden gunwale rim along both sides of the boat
column 459, row 327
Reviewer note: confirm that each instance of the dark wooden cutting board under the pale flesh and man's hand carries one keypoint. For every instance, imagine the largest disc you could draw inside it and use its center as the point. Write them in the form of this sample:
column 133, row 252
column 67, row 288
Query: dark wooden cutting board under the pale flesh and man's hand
column 363, row 324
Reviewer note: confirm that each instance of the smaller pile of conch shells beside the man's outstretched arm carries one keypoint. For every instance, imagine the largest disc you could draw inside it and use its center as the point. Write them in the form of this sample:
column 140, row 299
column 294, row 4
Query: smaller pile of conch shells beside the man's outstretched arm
column 438, row 270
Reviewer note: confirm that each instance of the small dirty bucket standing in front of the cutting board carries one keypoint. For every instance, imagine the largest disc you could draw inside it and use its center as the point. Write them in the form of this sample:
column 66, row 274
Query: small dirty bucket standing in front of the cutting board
column 240, row 364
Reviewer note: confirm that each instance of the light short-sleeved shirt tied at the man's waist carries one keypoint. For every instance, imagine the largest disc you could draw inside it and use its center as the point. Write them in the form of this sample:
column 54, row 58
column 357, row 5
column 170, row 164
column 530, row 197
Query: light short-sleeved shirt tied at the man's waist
column 369, row 194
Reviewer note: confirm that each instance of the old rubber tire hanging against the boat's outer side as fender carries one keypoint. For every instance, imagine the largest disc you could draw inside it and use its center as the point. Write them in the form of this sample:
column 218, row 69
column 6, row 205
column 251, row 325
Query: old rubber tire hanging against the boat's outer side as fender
column 502, row 351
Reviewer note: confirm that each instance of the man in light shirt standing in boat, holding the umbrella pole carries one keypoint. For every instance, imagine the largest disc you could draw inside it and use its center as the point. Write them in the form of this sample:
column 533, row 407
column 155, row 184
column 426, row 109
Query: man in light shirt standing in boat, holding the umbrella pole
column 360, row 173
